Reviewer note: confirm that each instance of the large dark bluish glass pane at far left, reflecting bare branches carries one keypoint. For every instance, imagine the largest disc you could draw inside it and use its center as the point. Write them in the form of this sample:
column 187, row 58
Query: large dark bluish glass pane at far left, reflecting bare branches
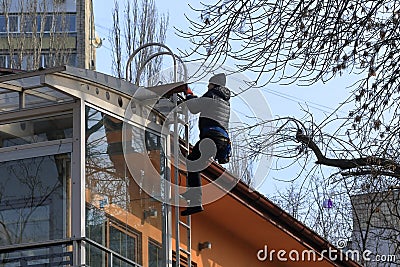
column 34, row 204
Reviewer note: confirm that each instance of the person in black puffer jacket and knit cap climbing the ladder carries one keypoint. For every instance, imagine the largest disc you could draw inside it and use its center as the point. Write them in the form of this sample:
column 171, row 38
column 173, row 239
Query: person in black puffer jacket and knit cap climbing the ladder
column 214, row 109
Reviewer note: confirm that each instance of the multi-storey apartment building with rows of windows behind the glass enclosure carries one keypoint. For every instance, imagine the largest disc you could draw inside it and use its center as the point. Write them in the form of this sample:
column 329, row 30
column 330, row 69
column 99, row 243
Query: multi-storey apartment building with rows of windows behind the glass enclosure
column 47, row 33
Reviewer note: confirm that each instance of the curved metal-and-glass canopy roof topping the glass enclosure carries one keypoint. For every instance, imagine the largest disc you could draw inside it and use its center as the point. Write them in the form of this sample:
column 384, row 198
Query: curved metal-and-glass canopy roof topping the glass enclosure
column 65, row 83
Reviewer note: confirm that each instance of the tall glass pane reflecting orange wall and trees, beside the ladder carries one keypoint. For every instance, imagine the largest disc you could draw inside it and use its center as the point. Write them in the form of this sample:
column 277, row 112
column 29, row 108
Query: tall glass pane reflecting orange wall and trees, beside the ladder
column 113, row 193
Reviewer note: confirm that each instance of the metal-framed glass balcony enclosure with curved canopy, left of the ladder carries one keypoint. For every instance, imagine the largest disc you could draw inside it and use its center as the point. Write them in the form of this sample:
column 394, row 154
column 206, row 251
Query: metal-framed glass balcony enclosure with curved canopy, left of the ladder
column 67, row 197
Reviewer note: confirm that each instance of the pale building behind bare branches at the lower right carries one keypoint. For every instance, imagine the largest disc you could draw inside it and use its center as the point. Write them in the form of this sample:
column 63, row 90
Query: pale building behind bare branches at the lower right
column 376, row 226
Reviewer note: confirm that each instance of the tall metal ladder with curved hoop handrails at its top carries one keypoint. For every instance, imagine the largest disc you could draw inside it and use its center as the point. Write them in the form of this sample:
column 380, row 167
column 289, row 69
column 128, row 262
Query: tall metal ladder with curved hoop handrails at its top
column 179, row 223
